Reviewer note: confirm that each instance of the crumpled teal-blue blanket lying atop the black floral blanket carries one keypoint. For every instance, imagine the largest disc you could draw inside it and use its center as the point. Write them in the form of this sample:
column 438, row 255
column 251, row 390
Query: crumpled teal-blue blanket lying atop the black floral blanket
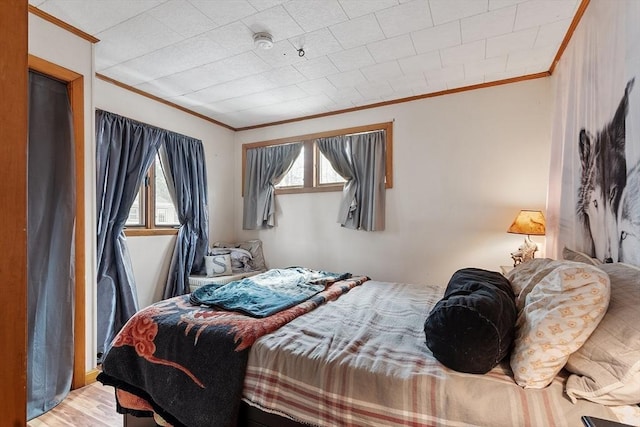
column 267, row 293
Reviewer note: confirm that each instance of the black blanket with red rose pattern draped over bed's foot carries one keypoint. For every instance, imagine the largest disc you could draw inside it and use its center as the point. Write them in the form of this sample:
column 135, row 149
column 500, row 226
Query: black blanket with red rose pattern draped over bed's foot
column 187, row 363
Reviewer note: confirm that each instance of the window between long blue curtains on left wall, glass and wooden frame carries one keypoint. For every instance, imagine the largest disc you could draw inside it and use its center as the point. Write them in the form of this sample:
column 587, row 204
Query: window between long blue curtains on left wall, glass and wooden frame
column 152, row 211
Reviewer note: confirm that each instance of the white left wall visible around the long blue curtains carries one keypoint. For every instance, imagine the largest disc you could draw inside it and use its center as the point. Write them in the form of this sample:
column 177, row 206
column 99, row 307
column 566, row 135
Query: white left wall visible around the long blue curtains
column 151, row 255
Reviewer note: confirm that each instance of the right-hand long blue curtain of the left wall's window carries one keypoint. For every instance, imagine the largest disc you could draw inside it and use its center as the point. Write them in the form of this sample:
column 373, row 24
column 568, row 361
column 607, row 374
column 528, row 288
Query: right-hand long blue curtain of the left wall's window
column 183, row 164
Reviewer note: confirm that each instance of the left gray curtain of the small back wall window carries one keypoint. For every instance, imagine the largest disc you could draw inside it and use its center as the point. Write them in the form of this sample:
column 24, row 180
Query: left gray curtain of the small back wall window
column 265, row 167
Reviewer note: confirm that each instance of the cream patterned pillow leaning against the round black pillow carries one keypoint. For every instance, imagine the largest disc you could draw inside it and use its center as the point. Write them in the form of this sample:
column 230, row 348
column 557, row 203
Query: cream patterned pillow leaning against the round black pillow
column 560, row 303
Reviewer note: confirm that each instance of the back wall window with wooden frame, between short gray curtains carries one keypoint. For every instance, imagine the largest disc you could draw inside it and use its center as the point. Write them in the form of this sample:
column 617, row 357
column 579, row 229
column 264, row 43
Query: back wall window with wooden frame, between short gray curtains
column 312, row 171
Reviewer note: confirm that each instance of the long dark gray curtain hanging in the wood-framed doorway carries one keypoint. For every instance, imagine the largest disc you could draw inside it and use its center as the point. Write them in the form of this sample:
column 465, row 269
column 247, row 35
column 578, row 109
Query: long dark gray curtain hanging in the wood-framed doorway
column 50, row 245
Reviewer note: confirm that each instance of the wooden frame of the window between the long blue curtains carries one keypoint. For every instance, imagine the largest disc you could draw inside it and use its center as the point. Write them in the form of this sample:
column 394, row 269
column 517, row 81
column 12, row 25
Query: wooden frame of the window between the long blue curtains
column 149, row 228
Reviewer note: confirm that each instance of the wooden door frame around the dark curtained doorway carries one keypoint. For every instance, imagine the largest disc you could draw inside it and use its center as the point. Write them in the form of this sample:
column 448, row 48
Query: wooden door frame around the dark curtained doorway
column 75, row 87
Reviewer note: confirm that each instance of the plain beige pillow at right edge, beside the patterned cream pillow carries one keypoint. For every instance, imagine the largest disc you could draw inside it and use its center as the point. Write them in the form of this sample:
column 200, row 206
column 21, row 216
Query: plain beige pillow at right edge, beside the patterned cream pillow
column 606, row 369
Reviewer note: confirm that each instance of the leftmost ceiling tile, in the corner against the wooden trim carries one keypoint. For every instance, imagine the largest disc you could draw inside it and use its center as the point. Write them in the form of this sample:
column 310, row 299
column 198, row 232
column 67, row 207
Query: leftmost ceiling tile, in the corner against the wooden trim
column 94, row 16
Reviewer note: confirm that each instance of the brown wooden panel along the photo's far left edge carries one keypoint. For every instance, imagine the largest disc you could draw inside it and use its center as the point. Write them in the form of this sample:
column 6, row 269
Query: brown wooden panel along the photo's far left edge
column 13, row 216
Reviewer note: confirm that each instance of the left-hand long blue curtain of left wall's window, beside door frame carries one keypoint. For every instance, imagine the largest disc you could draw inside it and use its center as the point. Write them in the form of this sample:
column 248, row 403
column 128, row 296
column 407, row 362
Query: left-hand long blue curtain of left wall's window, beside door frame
column 125, row 149
